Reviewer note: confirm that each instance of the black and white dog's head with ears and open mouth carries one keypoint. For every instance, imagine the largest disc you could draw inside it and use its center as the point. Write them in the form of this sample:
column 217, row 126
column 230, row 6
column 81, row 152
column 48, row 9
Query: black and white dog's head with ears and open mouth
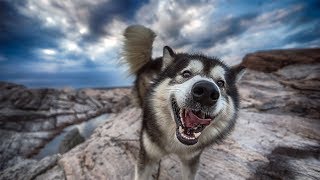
column 196, row 91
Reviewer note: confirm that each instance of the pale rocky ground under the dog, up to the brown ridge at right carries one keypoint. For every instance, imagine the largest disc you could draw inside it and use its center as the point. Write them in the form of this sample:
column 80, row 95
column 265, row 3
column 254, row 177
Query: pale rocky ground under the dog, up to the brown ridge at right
column 277, row 135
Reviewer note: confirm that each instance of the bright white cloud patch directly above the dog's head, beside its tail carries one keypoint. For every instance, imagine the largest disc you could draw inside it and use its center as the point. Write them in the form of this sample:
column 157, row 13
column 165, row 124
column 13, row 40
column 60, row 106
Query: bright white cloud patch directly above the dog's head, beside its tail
column 190, row 22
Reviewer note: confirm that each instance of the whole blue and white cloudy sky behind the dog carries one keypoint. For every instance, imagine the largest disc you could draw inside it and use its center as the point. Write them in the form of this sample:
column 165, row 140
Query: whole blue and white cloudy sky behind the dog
column 77, row 43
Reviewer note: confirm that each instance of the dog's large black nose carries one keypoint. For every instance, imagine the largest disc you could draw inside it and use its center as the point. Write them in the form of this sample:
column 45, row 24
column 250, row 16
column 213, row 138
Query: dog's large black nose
column 205, row 92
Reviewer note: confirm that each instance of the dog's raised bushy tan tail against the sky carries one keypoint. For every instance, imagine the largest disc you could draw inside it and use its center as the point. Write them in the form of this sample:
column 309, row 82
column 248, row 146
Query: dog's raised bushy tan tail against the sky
column 137, row 49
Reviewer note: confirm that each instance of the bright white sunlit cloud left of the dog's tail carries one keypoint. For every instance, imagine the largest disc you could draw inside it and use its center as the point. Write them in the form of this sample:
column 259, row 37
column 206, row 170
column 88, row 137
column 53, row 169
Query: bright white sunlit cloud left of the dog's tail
column 72, row 19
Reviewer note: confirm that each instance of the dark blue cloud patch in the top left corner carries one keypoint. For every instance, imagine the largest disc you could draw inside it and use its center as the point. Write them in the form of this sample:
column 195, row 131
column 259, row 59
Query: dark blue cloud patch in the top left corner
column 19, row 35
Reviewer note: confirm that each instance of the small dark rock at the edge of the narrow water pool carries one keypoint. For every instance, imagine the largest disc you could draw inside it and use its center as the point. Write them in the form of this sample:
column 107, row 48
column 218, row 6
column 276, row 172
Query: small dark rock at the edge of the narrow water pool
column 71, row 139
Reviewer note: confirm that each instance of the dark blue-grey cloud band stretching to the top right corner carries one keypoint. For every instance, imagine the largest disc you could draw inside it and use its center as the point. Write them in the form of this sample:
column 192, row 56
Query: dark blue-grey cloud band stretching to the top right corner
column 304, row 20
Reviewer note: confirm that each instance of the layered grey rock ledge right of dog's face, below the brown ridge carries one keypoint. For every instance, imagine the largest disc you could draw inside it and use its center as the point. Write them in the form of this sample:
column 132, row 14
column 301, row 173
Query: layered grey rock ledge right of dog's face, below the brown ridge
column 279, row 92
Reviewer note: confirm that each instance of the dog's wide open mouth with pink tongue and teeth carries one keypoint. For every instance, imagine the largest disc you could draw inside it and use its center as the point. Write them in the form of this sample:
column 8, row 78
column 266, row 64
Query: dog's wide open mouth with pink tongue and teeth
column 190, row 123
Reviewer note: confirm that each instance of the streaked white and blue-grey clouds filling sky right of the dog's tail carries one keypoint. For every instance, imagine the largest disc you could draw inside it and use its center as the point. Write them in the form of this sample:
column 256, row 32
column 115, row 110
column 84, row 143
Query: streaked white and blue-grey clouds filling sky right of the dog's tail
column 209, row 28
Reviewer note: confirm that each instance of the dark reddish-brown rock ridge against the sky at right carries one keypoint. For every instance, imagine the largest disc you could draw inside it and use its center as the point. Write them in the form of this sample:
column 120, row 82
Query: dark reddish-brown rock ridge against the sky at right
column 273, row 60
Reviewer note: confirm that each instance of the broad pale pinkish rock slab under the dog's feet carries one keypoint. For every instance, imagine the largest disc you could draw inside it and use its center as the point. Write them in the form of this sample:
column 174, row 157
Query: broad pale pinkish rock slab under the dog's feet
column 246, row 154
